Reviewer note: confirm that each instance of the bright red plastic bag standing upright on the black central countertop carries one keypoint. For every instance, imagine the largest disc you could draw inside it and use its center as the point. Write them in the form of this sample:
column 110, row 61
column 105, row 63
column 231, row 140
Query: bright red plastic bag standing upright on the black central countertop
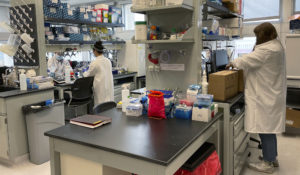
column 156, row 105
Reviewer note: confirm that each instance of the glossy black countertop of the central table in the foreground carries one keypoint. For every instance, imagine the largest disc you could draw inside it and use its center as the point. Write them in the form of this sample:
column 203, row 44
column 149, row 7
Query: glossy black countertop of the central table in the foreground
column 157, row 141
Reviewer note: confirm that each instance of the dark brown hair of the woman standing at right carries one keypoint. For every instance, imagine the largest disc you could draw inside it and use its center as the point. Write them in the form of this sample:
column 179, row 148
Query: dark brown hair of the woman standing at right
column 265, row 32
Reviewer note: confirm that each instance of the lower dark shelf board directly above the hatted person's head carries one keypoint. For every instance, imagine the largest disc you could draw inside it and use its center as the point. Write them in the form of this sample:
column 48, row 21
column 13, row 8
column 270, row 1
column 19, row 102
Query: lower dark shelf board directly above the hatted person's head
column 82, row 42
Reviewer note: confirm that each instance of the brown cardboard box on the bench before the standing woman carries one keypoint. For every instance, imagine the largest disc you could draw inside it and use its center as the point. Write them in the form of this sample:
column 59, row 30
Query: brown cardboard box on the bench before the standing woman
column 223, row 85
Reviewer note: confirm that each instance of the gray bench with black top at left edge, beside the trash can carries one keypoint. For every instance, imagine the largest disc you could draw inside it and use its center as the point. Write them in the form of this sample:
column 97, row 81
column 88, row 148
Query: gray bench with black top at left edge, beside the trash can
column 13, row 133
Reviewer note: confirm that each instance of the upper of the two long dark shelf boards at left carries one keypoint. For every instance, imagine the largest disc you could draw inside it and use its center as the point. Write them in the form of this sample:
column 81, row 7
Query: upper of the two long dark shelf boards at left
column 81, row 22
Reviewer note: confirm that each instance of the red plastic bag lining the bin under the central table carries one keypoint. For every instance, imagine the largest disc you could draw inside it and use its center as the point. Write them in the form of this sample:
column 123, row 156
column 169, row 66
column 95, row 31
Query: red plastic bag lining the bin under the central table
column 211, row 166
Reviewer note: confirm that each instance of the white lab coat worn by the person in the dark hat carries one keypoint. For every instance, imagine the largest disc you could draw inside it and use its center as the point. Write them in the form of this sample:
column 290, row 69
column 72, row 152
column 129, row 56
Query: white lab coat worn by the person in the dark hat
column 101, row 69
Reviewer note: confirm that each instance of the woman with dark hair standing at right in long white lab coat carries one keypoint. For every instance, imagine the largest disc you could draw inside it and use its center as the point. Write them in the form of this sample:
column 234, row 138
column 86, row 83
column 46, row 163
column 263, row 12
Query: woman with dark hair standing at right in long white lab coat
column 265, row 93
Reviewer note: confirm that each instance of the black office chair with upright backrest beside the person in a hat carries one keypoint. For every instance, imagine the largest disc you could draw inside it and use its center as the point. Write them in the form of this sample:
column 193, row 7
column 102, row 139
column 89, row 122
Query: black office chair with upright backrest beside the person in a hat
column 81, row 93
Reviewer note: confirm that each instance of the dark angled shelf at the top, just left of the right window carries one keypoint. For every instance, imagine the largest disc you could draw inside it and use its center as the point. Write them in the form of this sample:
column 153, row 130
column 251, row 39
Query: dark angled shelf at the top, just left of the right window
column 220, row 11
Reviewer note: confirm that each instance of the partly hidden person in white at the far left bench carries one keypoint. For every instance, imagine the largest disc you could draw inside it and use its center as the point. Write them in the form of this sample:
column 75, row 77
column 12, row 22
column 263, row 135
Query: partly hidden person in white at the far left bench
column 57, row 64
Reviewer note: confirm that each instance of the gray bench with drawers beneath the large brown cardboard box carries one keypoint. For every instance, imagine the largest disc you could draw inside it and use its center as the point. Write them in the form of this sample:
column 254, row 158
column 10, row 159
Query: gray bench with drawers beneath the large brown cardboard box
column 235, row 140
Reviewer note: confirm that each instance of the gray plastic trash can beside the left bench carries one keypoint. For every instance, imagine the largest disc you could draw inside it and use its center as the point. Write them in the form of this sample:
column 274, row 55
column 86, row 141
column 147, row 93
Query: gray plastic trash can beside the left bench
column 39, row 121
